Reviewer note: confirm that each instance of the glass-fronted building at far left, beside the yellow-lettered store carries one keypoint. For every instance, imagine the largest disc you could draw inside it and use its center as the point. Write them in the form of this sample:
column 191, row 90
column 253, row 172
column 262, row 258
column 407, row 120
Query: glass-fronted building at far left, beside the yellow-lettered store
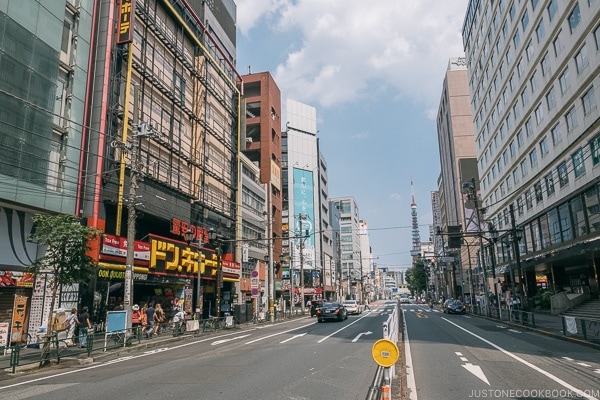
column 44, row 67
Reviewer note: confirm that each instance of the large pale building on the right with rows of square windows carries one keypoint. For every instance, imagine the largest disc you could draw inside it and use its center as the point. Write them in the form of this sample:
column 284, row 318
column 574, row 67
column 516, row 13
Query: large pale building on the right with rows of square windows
column 534, row 81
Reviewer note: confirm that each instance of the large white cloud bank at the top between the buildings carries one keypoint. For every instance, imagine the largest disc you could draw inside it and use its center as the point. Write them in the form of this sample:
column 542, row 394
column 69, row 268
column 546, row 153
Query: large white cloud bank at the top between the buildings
column 351, row 49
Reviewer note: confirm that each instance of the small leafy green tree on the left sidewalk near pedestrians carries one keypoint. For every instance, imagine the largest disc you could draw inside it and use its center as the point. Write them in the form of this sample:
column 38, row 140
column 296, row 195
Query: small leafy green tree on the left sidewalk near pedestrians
column 66, row 244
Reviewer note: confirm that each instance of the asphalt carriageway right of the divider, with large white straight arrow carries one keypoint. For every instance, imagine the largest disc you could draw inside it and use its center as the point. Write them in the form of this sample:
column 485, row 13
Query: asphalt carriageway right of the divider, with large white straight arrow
column 458, row 357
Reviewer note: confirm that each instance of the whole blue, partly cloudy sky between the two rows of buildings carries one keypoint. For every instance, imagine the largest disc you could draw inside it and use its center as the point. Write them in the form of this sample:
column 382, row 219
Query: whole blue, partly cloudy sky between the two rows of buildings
column 374, row 72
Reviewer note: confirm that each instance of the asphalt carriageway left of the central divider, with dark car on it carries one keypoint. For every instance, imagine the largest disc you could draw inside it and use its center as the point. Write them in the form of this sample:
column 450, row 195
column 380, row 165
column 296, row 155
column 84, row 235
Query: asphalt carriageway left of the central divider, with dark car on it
column 297, row 359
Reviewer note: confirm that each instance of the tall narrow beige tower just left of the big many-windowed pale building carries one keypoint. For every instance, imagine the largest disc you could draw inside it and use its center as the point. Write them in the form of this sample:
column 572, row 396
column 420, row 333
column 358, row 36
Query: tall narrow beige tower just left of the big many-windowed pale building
column 458, row 164
